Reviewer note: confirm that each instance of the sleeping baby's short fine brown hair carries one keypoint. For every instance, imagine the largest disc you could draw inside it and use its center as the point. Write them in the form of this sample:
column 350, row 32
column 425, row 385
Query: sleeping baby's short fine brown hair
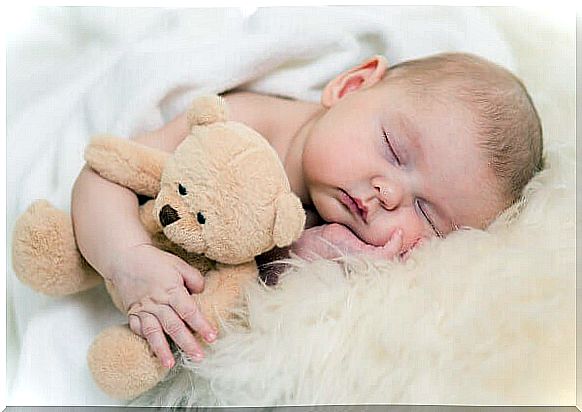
column 505, row 117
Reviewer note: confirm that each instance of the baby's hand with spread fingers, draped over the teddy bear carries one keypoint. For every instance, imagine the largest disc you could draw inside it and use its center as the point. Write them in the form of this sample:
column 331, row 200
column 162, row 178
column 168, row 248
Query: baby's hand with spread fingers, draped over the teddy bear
column 155, row 288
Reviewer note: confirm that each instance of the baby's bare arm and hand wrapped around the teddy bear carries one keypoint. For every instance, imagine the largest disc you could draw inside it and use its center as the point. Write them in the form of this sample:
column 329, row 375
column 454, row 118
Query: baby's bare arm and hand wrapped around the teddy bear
column 153, row 285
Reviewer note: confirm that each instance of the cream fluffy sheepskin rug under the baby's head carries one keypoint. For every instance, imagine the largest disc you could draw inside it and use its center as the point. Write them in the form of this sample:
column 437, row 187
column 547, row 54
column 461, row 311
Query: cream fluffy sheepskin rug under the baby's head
column 481, row 318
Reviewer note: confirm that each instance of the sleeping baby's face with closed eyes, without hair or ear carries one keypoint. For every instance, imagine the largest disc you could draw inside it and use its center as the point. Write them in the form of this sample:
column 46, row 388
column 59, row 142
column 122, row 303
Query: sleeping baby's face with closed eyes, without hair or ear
column 383, row 158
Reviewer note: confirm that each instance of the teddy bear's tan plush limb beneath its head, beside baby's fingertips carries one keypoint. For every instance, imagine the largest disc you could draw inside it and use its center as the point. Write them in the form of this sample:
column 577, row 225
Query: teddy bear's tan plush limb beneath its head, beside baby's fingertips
column 222, row 289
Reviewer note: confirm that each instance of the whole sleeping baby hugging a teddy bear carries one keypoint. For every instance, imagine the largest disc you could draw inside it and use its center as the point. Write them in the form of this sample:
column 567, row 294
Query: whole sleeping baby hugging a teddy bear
column 390, row 157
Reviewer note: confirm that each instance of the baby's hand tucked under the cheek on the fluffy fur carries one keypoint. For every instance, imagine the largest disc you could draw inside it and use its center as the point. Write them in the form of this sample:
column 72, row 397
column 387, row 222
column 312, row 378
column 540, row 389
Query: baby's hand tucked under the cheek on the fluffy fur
column 332, row 240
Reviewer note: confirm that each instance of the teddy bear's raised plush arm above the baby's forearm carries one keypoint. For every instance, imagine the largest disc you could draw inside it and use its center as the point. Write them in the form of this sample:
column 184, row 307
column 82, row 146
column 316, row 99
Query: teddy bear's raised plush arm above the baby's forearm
column 128, row 163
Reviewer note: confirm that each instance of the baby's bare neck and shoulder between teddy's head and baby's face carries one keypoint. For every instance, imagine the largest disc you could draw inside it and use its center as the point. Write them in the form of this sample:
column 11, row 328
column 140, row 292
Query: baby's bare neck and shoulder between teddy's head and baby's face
column 284, row 123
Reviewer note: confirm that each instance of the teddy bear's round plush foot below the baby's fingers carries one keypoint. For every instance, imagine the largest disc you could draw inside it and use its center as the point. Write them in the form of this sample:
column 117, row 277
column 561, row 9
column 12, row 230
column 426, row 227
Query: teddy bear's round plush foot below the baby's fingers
column 122, row 364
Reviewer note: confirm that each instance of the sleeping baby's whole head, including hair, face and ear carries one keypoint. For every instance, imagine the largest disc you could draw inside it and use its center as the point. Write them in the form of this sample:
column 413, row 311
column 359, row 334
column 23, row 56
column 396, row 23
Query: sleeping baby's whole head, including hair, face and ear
column 427, row 146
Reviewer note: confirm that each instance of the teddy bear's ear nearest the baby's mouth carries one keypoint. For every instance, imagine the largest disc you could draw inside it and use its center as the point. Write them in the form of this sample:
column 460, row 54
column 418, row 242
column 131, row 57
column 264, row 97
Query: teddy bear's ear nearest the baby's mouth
column 289, row 220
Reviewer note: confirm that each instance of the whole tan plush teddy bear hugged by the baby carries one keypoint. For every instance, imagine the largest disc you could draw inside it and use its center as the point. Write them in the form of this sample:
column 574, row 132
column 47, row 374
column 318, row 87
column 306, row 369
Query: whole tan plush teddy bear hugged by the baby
column 221, row 199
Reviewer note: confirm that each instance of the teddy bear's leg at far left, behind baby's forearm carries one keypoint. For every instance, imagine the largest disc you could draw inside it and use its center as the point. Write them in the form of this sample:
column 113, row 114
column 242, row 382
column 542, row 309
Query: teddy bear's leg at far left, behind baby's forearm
column 45, row 255
